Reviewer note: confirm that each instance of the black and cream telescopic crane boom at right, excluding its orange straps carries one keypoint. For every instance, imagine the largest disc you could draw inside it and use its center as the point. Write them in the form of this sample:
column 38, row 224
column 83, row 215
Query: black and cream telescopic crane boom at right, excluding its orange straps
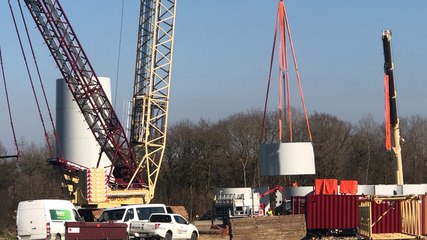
column 394, row 120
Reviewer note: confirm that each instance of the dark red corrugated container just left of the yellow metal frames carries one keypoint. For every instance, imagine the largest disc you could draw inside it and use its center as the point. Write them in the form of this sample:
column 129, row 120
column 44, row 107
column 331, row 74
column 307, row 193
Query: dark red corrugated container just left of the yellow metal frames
column 332, row 212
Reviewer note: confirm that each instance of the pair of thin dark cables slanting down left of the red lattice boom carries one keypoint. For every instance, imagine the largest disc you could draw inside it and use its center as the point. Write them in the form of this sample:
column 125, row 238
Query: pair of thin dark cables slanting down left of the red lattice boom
column 30, row 76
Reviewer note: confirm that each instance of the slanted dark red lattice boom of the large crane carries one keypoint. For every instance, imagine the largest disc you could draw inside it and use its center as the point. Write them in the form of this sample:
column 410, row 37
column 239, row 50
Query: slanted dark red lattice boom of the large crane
column 85, row 87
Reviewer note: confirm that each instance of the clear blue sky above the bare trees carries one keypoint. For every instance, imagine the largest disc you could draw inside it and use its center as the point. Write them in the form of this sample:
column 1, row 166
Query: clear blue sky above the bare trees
column 222, row 51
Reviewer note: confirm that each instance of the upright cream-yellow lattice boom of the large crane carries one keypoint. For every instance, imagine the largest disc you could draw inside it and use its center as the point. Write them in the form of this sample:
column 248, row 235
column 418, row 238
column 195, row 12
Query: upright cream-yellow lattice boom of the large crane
column 151, row 85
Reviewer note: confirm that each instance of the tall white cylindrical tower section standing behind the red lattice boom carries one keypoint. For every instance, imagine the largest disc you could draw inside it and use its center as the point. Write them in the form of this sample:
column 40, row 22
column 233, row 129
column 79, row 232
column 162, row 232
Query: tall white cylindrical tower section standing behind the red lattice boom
column 77, row 142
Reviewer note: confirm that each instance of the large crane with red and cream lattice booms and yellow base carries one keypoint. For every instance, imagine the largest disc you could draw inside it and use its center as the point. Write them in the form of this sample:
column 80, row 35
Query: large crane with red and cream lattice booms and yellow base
column 136, row 163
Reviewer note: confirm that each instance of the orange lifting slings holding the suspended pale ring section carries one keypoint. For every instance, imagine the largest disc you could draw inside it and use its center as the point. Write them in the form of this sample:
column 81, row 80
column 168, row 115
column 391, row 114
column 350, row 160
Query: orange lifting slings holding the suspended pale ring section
column 283, row 25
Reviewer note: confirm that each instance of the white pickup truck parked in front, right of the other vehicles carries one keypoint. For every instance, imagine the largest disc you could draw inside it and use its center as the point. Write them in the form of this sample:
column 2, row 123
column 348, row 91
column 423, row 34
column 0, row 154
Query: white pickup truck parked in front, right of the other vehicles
column 163, row 226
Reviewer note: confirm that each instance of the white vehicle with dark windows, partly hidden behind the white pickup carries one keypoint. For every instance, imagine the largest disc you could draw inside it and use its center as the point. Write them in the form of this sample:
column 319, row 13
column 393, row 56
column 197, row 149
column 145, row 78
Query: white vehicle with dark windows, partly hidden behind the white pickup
column 126, row 214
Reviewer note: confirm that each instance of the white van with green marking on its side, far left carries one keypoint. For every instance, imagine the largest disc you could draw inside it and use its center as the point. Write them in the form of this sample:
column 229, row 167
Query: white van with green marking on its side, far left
column 44, row 219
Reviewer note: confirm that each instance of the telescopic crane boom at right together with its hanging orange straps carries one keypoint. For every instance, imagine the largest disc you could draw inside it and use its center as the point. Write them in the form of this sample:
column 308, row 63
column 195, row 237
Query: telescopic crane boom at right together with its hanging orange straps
column 392, row 121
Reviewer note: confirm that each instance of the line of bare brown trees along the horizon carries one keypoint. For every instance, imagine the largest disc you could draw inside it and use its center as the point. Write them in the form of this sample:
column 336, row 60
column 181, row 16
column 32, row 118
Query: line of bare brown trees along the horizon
column 202, row 156
